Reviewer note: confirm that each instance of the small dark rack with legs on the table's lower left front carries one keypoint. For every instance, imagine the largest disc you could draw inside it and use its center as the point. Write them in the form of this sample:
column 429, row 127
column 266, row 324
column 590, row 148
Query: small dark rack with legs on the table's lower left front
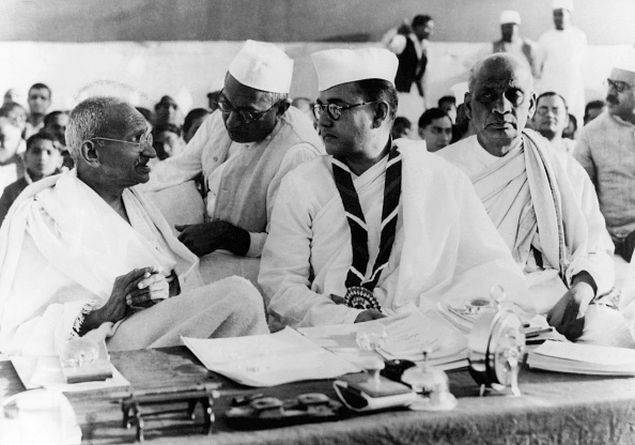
column 134, row 406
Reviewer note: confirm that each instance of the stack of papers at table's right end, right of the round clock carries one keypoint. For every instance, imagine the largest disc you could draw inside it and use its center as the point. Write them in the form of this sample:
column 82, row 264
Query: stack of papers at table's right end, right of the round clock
column 583, row 359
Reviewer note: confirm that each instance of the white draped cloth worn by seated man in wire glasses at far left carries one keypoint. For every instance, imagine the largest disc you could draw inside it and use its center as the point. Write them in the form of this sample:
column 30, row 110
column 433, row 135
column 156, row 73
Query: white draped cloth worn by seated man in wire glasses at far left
column 61, row 249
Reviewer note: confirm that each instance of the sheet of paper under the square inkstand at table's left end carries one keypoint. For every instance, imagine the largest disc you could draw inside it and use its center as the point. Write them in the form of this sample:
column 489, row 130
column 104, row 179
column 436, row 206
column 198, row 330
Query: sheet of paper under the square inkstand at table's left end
column 46, row 371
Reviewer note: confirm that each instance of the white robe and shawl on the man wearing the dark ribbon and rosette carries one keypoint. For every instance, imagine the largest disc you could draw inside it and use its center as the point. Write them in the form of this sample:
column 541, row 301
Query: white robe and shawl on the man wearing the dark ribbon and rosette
column 445, row 245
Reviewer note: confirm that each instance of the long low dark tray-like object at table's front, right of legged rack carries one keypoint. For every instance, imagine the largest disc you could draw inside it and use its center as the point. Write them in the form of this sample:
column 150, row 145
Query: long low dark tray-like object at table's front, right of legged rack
column 270, row 412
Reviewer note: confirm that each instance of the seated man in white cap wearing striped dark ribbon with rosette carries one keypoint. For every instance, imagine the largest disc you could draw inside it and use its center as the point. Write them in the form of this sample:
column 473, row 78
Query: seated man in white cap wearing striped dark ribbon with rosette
column 376, row 225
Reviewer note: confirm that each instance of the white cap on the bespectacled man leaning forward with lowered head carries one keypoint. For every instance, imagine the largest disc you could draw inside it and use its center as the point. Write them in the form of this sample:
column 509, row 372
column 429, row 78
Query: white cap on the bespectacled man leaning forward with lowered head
column 262, row 66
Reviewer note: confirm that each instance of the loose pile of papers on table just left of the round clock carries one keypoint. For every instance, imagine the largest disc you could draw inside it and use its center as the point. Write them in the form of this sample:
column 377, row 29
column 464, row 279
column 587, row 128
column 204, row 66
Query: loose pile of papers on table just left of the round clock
column 407, row 337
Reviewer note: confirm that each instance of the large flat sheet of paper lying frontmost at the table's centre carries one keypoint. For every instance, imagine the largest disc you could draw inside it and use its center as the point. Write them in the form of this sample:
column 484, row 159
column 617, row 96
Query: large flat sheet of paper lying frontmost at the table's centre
column 270, row 359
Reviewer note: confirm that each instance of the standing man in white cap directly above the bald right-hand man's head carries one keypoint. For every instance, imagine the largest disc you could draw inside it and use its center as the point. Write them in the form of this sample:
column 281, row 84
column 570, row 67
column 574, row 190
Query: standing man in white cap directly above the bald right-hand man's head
column 512, row 42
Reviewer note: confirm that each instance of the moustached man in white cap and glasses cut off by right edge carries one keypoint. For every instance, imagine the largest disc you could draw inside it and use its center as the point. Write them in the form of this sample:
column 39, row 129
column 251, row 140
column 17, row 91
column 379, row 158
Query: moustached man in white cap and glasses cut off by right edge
column 606, row 150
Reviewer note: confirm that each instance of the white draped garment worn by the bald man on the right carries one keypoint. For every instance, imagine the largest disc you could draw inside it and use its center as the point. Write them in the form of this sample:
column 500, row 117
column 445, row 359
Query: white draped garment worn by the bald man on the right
column 587, row 240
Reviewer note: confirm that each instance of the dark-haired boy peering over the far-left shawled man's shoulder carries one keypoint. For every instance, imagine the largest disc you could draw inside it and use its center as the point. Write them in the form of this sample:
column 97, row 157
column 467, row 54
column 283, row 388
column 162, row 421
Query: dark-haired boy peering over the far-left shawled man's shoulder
column 42, row 158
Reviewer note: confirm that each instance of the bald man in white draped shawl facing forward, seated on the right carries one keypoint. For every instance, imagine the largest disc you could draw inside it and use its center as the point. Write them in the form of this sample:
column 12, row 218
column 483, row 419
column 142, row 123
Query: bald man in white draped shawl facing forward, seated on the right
column 544, row 207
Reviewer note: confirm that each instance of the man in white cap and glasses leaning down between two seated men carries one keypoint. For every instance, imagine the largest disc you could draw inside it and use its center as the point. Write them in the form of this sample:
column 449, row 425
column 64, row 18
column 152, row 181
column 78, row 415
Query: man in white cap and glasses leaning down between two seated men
column 243, row 150
